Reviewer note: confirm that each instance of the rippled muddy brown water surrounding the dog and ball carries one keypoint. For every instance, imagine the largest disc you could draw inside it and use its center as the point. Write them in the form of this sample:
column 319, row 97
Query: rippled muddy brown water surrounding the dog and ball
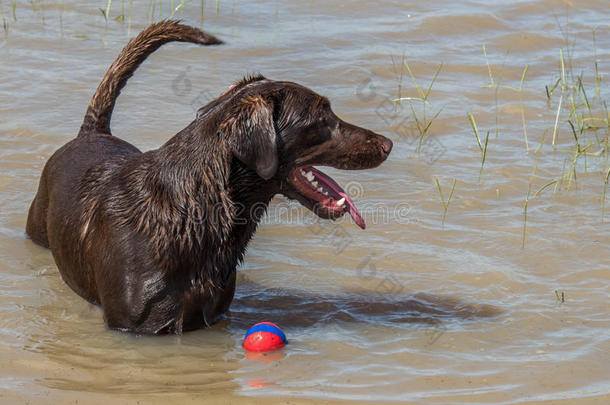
column 413, row 309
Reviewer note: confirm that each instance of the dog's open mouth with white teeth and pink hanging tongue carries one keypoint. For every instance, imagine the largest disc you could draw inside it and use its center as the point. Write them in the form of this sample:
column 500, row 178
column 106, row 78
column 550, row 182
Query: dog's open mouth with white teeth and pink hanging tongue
column 322, row 194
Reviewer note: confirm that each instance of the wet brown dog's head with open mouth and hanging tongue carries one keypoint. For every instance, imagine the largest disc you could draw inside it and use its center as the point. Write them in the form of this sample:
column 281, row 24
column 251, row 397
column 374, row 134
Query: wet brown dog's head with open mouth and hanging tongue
column 281, row 130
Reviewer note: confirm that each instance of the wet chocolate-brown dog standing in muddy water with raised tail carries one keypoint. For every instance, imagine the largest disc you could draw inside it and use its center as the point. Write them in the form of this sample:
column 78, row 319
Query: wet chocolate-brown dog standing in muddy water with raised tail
column 155, row 237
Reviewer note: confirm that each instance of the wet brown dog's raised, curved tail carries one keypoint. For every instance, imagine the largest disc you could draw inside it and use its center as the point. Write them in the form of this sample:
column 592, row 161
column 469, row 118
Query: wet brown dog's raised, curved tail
column 137, row 50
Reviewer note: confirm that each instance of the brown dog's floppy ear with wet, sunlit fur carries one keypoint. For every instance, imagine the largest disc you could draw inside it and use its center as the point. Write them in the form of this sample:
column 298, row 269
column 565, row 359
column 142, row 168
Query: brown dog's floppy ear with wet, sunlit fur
column 250, row 131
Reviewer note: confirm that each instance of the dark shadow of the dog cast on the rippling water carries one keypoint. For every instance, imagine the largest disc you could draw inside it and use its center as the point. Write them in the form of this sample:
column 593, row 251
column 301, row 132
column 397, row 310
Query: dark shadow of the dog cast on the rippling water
column 292, row 308
